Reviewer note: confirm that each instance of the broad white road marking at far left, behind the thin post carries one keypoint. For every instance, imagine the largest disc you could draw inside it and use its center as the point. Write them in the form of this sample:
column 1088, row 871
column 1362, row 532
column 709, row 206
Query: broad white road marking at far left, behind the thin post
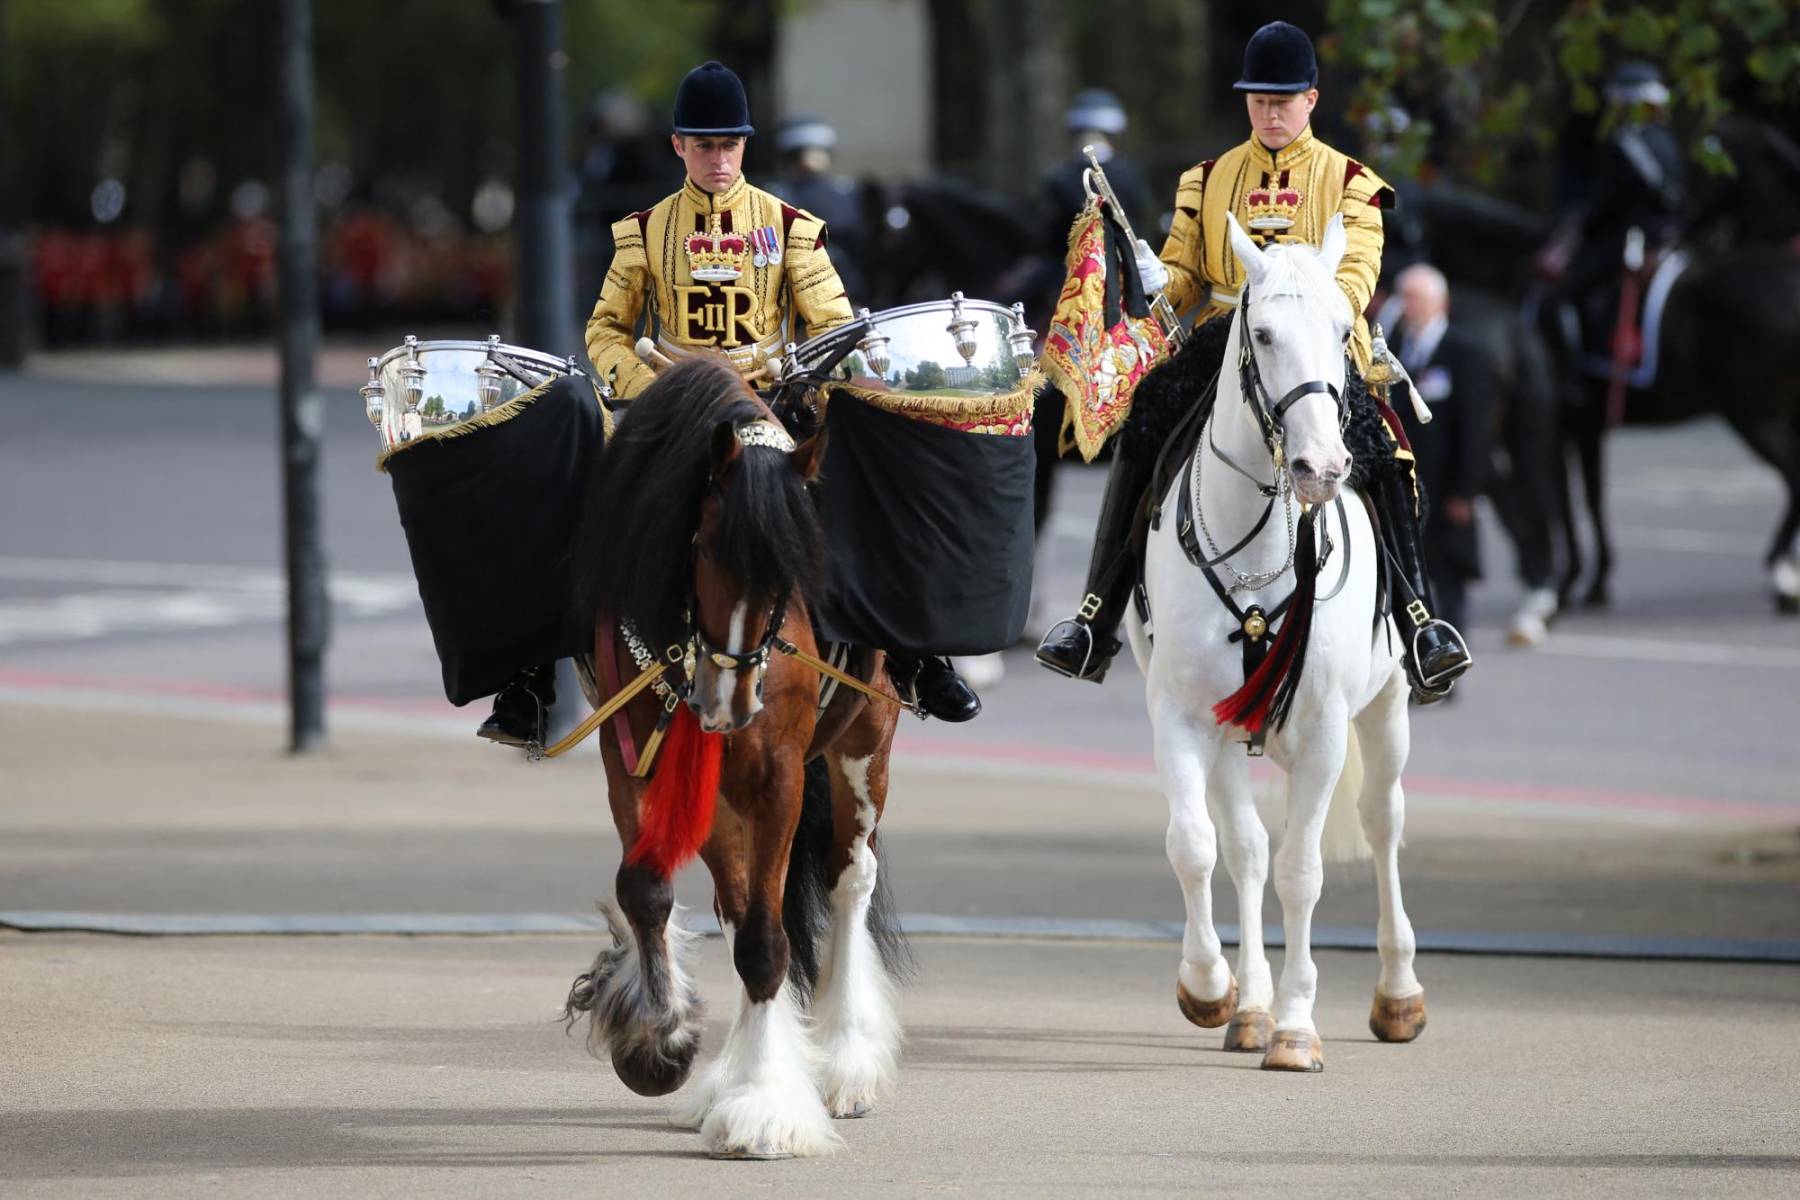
column 134, row 598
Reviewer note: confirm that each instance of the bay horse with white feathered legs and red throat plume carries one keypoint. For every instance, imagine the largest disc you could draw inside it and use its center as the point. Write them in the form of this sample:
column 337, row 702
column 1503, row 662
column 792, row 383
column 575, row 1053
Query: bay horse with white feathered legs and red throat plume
column 701, row 542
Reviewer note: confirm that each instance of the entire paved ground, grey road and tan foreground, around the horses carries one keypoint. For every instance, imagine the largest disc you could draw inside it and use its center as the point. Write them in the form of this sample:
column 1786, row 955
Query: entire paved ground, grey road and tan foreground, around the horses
column 1637, row 776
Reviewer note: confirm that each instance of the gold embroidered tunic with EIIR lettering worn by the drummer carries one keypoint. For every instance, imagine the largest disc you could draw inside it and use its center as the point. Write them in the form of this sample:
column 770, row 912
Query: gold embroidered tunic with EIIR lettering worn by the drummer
column 726, row 273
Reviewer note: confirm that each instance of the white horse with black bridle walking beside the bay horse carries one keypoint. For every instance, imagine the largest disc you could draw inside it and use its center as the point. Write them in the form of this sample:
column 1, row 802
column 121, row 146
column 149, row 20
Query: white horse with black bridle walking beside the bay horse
column 1353, row 692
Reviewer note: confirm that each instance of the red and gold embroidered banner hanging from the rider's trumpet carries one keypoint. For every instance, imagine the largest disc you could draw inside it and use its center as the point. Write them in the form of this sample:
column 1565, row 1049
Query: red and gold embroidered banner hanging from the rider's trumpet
column 1095, row 352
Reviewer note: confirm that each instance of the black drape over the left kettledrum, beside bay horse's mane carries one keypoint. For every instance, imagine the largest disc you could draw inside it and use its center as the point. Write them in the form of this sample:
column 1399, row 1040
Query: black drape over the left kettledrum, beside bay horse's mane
column 489, row 510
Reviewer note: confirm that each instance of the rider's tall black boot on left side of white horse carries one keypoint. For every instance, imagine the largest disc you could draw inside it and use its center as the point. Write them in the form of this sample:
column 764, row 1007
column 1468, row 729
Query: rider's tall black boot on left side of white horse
column 1084, row 645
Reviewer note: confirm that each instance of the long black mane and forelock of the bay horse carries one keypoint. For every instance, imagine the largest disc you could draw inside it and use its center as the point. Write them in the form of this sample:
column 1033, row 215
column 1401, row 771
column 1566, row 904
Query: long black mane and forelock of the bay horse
column 633, row 553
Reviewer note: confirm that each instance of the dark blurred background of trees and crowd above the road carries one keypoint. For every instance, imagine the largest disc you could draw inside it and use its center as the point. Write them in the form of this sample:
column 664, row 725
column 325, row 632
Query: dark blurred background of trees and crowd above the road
column 136, row 188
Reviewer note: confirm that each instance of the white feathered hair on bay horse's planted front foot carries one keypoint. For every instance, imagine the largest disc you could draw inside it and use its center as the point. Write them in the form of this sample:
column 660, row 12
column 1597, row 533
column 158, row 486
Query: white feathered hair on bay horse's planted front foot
column 759, row 1095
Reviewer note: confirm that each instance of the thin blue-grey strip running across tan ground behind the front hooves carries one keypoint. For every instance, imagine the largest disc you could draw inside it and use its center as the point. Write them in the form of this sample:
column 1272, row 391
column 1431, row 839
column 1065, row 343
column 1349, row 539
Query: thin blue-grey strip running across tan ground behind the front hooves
column 913, row 924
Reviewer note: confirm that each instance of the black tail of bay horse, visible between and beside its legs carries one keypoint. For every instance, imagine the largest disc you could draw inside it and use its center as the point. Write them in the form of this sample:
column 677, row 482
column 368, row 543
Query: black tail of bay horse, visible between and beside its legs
column 807, row 897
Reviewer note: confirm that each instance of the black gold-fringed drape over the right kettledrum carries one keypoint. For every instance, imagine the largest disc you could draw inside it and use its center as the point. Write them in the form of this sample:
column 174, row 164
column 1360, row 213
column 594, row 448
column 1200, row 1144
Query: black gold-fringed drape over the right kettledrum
column 928, row 523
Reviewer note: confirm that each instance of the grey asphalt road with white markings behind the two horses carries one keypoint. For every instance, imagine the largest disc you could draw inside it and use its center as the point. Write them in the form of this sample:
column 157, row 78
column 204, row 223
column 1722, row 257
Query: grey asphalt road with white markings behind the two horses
column 139, row 555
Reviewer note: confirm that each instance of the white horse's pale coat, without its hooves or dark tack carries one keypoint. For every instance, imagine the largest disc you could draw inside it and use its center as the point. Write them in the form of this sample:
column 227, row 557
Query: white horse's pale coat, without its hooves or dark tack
column 1347, row 674
